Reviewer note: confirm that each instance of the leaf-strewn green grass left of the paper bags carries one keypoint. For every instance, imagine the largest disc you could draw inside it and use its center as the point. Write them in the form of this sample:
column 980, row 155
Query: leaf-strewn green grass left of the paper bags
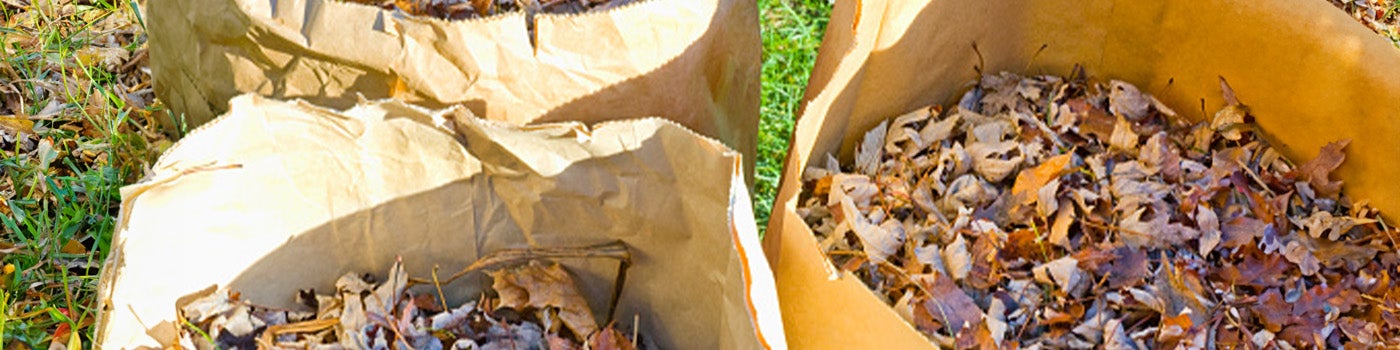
column 59, row 188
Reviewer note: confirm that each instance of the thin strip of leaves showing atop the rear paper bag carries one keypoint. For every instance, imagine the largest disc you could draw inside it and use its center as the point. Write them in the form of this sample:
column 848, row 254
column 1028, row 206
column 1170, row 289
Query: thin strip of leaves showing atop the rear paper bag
column 481, row 9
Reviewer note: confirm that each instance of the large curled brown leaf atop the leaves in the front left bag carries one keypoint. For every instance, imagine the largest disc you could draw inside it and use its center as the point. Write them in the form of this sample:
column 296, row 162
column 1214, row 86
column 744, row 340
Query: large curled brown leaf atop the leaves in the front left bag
column 545, row 286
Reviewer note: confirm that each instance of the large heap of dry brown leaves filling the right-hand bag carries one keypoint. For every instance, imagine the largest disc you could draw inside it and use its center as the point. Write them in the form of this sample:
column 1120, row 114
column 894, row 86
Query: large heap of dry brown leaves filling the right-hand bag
column 1058, row 213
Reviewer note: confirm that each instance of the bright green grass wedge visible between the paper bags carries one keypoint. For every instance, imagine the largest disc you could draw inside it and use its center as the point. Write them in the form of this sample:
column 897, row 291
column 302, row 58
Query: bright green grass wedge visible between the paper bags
column 792, row 33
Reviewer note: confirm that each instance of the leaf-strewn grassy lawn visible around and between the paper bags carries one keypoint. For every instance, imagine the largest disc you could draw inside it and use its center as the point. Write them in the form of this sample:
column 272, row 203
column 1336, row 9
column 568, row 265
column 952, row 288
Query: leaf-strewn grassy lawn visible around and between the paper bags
column 78, row 122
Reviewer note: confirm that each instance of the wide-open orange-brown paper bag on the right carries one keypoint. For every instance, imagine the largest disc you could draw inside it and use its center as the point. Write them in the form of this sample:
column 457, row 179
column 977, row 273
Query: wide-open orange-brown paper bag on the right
column 1308, row 73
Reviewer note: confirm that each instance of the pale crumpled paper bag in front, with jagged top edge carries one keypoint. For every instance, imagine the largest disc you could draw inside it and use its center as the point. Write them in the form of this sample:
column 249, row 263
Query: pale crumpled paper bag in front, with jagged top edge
column 278, row 197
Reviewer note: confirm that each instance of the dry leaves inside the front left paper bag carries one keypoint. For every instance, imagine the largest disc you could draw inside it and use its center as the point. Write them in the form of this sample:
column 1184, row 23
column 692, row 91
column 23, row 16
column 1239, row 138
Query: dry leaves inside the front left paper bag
column 533, row 304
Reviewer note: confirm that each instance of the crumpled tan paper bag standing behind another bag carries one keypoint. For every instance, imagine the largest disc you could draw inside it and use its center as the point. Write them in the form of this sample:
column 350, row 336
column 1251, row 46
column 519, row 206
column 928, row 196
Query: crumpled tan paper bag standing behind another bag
column 695, row 62
